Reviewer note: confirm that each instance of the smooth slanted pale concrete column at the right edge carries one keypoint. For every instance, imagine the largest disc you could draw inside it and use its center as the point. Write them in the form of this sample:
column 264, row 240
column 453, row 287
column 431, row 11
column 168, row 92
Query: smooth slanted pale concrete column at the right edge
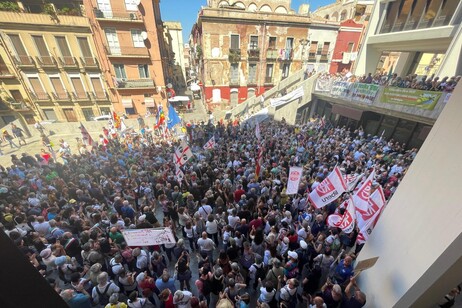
column 418, row 237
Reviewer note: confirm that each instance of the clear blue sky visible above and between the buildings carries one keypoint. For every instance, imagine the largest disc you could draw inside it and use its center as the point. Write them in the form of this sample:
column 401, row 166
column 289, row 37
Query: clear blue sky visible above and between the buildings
column 185, row 11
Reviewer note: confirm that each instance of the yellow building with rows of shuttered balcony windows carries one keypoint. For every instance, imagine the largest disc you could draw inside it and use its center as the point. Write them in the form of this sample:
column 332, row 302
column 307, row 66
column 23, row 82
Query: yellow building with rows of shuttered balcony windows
column 49, row 54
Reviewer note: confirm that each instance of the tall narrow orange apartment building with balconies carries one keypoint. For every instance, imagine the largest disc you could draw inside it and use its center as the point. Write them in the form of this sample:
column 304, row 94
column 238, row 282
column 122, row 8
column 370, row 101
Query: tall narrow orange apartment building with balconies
column 128, row 35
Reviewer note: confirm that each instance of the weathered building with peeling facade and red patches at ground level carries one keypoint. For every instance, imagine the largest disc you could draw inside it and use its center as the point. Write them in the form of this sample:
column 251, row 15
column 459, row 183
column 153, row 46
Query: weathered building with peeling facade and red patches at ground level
column 240, row 49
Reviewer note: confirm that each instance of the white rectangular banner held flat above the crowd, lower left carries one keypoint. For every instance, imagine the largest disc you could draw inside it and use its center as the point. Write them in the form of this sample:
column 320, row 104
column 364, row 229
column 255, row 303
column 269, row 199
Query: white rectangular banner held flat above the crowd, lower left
column 148, row 237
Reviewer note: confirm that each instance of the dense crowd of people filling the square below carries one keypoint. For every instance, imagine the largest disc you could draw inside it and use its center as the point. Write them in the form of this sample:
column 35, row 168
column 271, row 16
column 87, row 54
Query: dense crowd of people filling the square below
column 240, row 239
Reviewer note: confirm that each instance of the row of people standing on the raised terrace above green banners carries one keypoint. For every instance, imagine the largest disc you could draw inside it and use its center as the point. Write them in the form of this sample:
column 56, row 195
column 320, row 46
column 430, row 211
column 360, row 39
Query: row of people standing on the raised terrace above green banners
column 412, row 81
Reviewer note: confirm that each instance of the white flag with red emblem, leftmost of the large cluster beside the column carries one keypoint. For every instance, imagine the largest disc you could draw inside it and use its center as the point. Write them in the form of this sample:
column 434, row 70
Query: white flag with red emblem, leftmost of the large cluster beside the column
column 328, row 190
